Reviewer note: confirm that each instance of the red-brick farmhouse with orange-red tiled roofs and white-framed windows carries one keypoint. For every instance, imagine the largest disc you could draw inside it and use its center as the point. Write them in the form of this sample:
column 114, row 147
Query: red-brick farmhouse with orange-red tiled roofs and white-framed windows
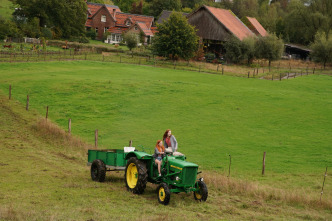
column 108, row 18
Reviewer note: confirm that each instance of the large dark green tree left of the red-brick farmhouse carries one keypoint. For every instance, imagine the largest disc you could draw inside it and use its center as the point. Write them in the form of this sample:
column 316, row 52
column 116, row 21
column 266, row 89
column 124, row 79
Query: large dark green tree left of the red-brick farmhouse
column 67, row 18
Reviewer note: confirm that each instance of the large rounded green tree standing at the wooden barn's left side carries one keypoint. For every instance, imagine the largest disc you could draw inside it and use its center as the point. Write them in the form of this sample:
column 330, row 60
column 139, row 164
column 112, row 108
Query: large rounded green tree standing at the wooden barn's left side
column 175, row 38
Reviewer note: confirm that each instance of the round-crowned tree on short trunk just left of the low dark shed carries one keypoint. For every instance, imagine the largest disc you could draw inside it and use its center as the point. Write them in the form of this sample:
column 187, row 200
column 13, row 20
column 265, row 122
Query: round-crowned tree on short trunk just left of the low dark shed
column 269, row 47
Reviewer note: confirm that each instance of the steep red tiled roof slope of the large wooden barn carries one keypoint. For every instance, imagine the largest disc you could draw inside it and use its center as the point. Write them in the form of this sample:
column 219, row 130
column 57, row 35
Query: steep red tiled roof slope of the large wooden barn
column 231, row 22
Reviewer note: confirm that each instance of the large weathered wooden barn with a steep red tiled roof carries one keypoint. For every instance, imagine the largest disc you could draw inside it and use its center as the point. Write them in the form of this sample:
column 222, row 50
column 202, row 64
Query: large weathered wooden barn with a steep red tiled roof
column 215, row 26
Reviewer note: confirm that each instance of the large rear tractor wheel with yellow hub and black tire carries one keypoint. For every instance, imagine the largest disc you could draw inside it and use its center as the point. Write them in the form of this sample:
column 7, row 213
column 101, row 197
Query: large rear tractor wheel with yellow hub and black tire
column 136, row 175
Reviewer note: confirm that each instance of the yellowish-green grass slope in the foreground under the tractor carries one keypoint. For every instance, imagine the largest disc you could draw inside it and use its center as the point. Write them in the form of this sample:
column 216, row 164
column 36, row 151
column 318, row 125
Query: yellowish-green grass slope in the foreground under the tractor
column 44, row 178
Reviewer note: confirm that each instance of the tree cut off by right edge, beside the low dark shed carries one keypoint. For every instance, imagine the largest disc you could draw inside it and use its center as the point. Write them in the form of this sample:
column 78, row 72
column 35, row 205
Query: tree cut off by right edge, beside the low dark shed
column 322, row 48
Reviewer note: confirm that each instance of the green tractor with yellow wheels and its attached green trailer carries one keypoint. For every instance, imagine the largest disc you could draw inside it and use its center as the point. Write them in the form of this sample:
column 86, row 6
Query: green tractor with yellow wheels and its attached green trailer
column 177, row 175
